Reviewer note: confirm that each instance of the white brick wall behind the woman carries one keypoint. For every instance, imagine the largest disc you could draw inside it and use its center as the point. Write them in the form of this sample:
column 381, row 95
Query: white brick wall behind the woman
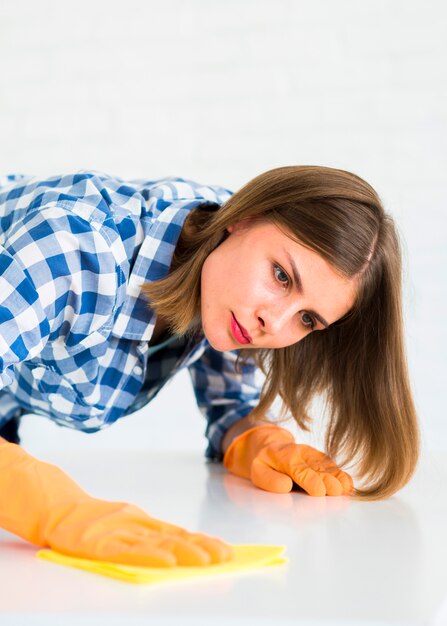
column 221, row 91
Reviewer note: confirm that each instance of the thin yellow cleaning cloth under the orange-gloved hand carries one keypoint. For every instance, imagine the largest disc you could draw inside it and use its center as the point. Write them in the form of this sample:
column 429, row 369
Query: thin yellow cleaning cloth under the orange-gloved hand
column 245, row 557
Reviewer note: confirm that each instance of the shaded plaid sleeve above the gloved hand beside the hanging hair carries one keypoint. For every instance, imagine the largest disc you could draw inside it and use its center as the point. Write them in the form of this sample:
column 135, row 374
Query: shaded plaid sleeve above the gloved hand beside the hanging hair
column 223, row 395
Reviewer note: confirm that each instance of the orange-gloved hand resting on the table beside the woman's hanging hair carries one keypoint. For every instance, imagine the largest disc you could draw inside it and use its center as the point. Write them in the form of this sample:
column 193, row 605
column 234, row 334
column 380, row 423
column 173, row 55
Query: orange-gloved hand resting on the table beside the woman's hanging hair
column 270, row 458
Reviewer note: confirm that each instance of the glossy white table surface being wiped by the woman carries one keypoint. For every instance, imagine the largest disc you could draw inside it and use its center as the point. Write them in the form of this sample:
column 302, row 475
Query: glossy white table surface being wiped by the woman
column 349, row 562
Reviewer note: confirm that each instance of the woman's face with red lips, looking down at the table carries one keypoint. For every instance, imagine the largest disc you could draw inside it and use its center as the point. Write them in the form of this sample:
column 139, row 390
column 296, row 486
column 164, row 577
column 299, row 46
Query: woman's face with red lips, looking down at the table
column 262, row 289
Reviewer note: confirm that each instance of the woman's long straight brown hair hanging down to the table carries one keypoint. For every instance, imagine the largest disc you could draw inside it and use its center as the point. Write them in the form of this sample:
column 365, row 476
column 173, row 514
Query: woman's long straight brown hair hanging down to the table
column 358, row 364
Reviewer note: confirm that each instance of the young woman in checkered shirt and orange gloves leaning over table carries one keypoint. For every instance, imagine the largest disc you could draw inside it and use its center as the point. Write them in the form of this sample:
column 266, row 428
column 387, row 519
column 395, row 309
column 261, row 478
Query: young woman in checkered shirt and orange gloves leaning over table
column 108, row 288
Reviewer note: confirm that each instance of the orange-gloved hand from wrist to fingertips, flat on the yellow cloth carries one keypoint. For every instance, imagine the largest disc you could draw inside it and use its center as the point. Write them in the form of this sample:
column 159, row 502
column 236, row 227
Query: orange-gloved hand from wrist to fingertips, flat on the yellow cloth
column 123, row 533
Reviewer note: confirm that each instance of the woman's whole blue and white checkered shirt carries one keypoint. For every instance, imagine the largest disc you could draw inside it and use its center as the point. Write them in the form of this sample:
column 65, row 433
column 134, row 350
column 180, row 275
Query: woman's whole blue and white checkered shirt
column 74, row 326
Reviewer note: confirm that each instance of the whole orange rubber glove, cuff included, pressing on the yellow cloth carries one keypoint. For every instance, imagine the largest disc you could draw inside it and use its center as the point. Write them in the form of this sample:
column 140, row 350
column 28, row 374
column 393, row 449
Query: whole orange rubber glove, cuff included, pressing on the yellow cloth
column 41, row 504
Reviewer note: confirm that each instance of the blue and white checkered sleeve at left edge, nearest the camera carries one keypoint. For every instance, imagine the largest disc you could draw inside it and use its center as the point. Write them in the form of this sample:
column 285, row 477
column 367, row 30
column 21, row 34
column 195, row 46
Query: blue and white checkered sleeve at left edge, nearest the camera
column 57, row 278
